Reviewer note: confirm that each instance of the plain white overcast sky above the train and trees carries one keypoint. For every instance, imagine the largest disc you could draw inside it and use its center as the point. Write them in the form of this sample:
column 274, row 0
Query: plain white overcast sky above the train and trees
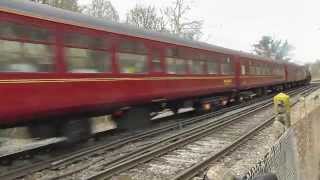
column 238, row 24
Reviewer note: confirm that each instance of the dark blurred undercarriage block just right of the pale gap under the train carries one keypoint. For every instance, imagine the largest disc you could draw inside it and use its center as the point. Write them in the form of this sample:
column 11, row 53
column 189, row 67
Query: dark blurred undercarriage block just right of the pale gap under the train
column 134, row 118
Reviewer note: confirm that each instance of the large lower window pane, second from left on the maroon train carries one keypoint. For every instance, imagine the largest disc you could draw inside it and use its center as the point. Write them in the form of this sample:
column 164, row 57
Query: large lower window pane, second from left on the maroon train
column 87, row 61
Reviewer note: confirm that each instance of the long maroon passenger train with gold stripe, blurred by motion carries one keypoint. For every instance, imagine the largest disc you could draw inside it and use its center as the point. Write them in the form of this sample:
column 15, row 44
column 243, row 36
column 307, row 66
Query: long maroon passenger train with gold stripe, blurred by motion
column 59, row 67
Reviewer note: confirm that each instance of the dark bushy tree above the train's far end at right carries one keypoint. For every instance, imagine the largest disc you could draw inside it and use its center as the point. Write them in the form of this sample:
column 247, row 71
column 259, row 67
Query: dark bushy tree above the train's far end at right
column 276, row 49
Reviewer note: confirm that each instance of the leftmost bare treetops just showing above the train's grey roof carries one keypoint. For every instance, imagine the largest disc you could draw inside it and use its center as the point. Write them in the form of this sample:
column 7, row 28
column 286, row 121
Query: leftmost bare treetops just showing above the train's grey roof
column 71, row 5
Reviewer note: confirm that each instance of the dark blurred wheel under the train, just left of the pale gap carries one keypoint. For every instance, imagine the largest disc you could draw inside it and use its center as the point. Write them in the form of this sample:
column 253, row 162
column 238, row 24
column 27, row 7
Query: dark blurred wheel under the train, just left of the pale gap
column 76, row 130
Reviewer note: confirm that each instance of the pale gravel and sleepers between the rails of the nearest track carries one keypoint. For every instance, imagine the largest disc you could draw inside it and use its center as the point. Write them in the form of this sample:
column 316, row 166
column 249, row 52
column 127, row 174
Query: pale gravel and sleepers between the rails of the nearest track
column 167, row 166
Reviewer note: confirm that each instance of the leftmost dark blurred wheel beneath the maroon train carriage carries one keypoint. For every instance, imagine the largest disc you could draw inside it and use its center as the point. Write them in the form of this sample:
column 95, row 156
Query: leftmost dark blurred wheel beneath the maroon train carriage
column 43, row 130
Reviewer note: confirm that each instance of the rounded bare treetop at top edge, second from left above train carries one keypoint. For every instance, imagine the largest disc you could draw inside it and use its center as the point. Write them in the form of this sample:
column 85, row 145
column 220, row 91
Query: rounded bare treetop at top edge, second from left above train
column 102, row 9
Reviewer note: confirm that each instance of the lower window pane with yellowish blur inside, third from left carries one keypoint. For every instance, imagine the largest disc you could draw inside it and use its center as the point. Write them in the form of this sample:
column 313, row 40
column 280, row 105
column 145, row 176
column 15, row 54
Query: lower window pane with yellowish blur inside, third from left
column 132, row 63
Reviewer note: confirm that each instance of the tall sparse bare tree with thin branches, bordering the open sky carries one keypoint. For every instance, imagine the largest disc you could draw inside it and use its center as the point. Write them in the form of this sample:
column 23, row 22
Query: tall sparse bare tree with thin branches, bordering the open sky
column 180, row 24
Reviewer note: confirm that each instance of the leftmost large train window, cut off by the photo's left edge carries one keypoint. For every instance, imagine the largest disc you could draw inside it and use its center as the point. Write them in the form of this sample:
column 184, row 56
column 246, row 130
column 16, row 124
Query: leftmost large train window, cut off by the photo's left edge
column 17, row 55
